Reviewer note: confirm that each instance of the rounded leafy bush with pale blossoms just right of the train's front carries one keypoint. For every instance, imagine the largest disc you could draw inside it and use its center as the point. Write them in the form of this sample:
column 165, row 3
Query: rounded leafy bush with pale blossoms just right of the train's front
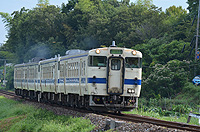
column 166, row 80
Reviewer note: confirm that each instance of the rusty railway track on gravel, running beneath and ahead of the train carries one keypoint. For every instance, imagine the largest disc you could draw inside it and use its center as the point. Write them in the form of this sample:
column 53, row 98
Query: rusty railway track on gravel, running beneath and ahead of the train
column 138, row 118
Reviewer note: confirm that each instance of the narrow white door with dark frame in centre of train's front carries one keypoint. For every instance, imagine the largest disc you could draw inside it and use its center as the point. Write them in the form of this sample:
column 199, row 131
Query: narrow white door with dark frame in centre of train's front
column 115, row 75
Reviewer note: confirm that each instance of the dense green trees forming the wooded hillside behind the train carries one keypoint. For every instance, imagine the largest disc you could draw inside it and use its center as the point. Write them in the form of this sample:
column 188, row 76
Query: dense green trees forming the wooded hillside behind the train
column 47, row 30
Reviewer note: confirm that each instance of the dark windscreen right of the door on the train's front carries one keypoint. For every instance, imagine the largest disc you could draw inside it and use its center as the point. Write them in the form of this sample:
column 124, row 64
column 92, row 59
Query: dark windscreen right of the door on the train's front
column 132, row 62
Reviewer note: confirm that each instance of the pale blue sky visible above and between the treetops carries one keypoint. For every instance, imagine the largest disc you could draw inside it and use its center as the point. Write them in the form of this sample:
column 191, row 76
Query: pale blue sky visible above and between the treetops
column 9, row 6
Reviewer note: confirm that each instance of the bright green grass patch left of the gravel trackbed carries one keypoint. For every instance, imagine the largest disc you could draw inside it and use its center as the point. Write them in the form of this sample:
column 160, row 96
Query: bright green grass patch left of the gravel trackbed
column 17, row 117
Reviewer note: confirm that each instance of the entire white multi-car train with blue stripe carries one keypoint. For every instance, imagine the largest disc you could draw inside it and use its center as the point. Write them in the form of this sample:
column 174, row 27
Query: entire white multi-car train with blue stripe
column 100, row 79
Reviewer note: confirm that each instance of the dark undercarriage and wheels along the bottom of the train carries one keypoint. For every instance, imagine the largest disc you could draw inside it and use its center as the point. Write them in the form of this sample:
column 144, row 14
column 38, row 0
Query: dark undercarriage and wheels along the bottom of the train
column 91, row 102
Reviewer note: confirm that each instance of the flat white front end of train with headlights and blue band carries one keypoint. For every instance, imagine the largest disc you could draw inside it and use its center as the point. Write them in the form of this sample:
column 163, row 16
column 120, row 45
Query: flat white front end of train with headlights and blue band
column 114, row 77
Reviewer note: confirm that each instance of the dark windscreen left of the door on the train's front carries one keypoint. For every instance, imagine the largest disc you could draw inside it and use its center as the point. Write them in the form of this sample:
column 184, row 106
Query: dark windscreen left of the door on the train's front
column 99, row 61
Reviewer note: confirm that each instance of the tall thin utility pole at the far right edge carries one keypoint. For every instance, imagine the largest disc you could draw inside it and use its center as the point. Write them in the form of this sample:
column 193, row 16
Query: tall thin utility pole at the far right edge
column 197, row 37
